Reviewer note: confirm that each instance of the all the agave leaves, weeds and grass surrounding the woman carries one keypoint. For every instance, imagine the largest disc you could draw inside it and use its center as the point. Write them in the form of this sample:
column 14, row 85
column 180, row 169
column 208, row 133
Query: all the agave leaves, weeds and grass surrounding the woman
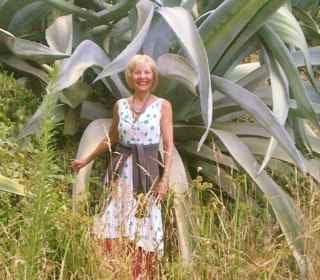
column 251, row 213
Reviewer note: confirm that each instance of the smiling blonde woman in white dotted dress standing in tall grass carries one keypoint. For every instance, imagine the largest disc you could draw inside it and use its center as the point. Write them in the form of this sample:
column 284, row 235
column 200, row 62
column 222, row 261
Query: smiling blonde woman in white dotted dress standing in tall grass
column 138, row 124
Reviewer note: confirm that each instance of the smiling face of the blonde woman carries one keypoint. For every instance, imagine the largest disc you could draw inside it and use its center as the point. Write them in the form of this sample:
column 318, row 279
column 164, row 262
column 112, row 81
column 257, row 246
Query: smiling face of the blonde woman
column 142, row 78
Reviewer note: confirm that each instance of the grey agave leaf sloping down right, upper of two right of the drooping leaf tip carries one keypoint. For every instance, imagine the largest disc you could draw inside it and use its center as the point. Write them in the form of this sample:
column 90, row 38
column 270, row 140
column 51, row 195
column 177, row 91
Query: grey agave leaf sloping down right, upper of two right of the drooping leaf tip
column 261, row 113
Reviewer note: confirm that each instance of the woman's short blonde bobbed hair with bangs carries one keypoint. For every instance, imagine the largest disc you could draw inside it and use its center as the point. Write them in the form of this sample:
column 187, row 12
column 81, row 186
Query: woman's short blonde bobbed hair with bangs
column 142, row 58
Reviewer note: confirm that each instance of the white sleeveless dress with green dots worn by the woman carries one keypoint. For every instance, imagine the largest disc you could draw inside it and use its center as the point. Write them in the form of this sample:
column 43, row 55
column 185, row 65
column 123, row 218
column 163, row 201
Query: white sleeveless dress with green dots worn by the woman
column 118, row 219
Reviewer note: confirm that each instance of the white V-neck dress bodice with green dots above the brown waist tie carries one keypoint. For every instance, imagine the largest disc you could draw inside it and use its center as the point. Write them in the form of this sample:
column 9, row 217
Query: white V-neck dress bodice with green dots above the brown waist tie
column 144, row 130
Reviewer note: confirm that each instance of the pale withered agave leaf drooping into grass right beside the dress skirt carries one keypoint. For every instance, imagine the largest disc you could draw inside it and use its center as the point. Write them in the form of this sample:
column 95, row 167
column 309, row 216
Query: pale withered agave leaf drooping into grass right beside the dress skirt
column 179, row 184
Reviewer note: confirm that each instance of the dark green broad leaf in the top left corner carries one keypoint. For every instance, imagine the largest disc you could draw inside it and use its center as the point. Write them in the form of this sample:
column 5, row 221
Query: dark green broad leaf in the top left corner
column 28, row 15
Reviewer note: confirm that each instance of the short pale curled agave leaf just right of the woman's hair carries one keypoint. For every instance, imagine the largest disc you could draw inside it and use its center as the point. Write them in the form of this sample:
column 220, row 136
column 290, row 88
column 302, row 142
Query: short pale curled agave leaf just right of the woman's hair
column 176, row 67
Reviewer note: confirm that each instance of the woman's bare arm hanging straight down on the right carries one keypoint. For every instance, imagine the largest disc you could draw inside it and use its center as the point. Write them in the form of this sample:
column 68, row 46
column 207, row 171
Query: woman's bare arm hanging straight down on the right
column 166, row 126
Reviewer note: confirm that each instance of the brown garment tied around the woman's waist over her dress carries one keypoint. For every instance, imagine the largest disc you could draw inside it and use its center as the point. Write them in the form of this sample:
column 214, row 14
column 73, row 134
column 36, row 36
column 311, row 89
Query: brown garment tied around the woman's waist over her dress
column 146, row 164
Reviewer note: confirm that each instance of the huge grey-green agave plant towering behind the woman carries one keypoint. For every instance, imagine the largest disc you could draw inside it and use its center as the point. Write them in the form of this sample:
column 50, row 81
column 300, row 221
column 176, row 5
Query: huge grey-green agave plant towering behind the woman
column 202, row 74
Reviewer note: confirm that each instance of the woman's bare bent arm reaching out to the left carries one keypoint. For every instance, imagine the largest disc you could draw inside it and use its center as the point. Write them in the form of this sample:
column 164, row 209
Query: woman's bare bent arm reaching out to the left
column 104, row 145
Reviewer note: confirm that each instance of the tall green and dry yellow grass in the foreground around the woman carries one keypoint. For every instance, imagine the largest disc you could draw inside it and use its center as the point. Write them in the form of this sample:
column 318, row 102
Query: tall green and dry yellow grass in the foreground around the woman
column 41, row 238
